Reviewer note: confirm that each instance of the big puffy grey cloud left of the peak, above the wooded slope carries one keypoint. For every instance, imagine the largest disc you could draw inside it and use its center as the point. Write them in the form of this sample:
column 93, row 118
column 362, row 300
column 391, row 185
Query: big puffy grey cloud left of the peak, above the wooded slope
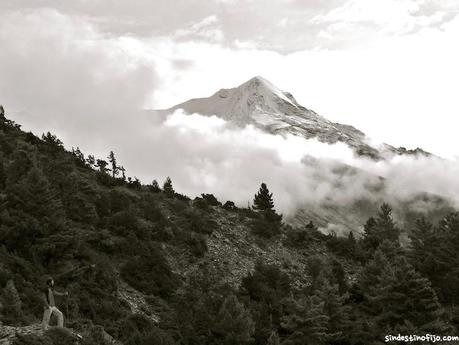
column 60, row 74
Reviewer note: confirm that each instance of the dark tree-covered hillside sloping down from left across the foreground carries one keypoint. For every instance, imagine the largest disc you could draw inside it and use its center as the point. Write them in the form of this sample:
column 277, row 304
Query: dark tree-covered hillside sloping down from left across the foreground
column 146, row 265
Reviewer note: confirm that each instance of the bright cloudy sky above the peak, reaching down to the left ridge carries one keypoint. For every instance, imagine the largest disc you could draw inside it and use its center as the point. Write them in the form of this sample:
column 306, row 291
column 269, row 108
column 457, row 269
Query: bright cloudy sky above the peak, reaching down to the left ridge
column 83, row 68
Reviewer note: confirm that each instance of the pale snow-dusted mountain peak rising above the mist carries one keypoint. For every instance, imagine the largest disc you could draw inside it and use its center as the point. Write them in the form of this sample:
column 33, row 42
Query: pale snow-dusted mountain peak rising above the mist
column 259, row 102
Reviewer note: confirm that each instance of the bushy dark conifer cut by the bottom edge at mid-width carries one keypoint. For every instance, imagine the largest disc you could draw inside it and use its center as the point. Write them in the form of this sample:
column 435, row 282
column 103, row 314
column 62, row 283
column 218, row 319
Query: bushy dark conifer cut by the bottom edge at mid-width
column 234, row 324
